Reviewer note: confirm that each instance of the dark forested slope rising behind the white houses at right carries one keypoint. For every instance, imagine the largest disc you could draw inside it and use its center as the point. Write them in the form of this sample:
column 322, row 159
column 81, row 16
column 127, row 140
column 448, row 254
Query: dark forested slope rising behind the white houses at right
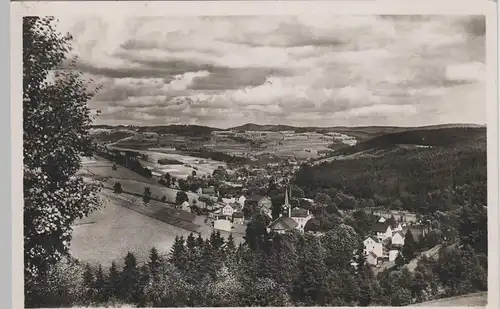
column 422, row 180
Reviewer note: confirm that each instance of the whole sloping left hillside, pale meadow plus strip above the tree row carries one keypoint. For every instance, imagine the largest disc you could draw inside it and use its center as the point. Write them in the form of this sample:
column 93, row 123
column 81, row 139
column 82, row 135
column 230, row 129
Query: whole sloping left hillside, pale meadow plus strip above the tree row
column 125, row 224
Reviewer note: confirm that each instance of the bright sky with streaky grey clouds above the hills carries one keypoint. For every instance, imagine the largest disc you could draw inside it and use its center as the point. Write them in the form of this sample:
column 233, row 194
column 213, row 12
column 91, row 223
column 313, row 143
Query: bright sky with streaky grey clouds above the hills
column 297, row 70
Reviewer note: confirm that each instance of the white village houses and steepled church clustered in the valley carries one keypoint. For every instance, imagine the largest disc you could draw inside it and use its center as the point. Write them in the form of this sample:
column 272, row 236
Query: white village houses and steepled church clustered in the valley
column 382, row 246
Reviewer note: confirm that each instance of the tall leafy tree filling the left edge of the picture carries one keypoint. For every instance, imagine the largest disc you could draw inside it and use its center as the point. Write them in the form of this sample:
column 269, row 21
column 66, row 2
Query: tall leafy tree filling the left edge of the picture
column 56, row 123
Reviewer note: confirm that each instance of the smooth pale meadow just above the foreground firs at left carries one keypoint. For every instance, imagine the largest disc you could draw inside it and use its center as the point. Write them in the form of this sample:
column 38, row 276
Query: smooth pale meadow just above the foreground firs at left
column 109, row 233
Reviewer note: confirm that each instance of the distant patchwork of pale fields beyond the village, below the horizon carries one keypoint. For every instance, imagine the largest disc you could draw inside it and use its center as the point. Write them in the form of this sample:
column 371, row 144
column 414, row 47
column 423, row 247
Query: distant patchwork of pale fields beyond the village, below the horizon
column 279, row 143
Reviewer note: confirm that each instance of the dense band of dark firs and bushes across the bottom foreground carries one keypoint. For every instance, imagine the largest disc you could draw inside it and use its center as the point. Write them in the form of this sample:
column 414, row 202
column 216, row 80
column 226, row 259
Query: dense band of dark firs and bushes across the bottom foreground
column 290, row 269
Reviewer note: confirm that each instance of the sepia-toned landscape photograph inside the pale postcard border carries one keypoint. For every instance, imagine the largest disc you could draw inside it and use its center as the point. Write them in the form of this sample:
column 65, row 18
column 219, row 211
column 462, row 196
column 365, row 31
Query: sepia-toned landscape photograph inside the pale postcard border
column 294, row 160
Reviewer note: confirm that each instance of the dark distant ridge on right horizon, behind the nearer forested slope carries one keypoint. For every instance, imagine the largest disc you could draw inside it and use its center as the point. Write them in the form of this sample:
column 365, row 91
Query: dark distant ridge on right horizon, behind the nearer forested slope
column 422, row 136
